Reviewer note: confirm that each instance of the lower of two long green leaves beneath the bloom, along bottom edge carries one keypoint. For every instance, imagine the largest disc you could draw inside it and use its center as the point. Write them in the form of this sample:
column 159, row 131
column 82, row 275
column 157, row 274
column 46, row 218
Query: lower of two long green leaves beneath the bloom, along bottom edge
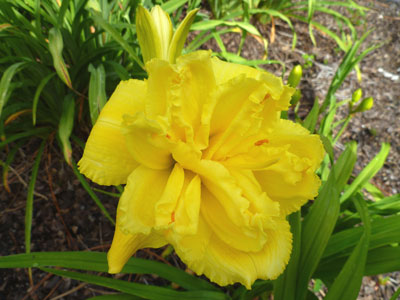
column 141, row 290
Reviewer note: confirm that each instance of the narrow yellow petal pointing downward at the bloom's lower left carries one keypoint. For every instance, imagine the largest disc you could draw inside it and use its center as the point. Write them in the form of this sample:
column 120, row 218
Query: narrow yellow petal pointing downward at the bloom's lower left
column 125, row 245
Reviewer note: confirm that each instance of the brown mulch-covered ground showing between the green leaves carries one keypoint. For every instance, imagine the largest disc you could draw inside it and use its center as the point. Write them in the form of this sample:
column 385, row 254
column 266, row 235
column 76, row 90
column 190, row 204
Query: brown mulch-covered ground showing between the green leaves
column 66, row 218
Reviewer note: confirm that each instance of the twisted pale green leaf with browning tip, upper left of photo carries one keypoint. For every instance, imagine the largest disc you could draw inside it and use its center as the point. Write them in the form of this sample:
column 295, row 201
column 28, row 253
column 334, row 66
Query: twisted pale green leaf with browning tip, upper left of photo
column 56, row 46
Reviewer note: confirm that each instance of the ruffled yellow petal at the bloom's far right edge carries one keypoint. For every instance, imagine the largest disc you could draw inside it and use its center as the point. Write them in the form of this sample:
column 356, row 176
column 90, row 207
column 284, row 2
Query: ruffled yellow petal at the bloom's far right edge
column 291, row 181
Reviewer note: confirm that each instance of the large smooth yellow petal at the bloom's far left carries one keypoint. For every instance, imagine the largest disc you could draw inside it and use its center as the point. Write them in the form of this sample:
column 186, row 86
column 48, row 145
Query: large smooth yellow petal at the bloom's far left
column 106, row 159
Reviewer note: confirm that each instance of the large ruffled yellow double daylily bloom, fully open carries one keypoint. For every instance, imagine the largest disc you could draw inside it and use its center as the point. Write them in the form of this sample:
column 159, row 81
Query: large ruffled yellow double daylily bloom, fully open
column 208, row 164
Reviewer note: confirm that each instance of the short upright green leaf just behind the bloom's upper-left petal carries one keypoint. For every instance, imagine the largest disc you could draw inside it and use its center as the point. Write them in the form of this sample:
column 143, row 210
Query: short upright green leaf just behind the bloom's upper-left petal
column 97, row 91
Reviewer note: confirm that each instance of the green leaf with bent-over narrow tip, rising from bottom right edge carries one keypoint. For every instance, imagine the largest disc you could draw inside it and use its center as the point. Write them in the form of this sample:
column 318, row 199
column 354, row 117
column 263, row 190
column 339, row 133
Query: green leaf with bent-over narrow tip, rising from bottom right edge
column 348, row 282
